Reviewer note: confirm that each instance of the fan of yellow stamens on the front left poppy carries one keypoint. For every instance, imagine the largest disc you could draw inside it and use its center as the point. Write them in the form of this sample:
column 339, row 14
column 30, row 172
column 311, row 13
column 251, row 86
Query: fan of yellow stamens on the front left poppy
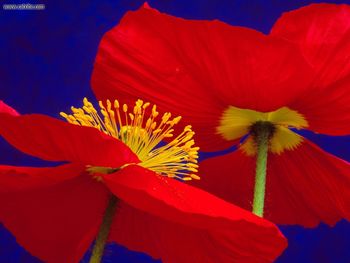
column 139, row 130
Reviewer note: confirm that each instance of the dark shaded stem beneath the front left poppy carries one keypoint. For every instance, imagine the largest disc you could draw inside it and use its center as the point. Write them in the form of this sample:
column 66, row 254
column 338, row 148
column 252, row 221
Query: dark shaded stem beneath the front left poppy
column 97, row 251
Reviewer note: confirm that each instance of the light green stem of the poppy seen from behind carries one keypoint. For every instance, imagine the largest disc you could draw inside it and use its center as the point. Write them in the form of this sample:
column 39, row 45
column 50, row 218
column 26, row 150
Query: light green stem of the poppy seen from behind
column 262, row 140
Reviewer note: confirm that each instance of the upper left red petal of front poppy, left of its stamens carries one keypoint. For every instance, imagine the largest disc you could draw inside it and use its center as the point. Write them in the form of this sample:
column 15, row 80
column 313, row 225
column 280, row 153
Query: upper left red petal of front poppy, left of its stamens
column 55, row 140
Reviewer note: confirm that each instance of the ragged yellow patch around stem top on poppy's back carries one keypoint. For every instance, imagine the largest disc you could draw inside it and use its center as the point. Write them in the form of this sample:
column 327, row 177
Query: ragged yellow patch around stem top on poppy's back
column 236, row 123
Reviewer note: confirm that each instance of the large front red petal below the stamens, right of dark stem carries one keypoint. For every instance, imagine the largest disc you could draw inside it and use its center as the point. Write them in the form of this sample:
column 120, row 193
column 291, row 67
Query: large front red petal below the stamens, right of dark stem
column 180, row 223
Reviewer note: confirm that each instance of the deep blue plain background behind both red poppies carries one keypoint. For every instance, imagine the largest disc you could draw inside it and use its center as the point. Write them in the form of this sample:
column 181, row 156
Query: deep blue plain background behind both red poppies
column 46, row 60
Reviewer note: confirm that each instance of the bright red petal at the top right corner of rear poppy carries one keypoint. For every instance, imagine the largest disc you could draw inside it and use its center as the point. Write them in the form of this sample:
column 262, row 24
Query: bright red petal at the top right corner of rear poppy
column 323, row 33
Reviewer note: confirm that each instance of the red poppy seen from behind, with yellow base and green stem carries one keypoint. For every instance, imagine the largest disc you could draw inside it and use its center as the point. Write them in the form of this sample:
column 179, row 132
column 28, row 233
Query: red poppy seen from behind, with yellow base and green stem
column 233, row 83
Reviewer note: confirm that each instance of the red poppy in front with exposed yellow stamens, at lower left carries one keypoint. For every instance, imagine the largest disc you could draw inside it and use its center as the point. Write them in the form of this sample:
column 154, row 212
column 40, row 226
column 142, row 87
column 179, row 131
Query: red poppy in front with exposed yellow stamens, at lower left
column 56, row 212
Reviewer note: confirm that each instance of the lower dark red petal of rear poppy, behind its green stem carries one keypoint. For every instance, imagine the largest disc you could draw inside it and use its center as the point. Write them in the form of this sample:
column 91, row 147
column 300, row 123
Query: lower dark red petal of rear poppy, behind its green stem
column 304, row 186
